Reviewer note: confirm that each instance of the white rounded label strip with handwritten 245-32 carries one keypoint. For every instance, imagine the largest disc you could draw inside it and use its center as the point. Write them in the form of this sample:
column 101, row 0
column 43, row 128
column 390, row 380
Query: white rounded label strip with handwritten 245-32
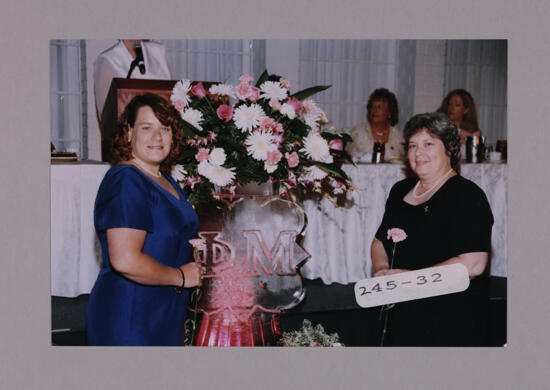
column 406, row 286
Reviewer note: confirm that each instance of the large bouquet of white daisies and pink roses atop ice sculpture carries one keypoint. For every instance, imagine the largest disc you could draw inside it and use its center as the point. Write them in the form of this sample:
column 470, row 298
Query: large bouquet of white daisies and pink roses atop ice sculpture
column 265, row 124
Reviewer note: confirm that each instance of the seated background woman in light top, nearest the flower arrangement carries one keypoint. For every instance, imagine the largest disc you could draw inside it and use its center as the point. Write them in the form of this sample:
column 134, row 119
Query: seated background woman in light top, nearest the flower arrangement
column 382, row 116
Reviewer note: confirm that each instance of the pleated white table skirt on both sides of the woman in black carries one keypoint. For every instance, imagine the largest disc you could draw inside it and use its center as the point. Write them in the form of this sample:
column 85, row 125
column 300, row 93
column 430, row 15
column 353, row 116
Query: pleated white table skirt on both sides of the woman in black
column 339, row 239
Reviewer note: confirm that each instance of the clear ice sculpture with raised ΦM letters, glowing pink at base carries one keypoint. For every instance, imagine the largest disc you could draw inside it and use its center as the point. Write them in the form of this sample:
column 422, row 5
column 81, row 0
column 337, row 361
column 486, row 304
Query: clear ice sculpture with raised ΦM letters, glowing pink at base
column 247, row 281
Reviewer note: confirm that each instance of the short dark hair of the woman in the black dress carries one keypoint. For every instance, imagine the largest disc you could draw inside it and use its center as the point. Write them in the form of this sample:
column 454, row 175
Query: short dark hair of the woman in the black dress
column 439, row 125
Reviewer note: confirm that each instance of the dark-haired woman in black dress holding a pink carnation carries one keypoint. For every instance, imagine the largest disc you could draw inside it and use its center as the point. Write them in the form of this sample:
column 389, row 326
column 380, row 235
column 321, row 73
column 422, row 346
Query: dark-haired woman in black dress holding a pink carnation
column 448, row 220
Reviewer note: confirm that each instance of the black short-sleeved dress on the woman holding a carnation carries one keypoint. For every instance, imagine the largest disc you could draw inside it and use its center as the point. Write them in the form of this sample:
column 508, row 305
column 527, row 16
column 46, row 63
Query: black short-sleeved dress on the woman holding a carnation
column 456, row 219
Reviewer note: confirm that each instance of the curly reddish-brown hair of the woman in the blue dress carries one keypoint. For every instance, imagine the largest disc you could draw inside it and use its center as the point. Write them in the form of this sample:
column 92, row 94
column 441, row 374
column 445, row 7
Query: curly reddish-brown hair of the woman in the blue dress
column 165, row 112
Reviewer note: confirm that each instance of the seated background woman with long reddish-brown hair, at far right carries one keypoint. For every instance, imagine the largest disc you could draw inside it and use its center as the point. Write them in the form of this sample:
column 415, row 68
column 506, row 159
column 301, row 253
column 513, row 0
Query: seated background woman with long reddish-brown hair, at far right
column 460, row 107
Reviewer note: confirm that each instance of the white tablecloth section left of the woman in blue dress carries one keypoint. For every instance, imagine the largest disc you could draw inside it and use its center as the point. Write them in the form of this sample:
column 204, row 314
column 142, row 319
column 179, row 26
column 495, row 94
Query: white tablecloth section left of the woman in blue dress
column 75, row 252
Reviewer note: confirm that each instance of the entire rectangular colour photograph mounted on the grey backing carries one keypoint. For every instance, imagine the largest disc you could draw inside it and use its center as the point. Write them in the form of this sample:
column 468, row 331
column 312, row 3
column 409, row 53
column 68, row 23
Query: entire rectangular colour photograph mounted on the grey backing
column 233, row 193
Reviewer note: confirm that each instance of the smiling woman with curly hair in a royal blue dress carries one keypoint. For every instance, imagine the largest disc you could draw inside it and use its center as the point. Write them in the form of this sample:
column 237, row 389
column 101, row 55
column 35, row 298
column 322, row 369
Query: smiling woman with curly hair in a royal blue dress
column 144, row 223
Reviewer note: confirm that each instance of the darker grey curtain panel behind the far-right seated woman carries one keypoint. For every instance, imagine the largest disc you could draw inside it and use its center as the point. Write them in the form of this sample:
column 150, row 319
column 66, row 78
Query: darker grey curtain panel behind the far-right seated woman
column 480, row 67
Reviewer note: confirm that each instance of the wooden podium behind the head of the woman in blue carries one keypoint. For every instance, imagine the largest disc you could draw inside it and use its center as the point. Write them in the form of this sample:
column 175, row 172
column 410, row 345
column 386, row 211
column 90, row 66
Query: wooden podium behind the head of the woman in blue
column 120, row 94
